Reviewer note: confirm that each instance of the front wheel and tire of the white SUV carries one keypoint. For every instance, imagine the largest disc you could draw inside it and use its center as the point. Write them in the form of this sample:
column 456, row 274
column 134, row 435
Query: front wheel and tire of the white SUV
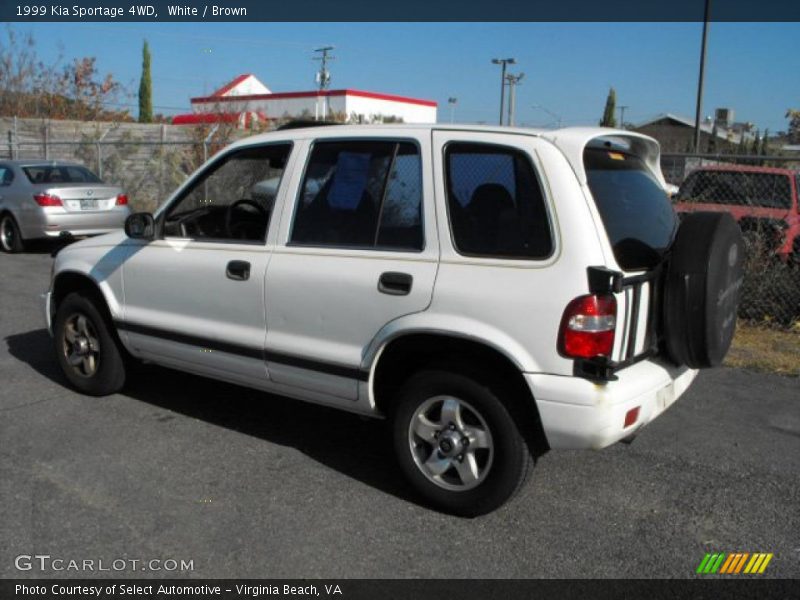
column 86, row 348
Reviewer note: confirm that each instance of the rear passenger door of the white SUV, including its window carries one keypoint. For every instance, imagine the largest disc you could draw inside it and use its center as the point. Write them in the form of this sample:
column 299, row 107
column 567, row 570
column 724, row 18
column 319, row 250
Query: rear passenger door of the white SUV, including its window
column 357, row 249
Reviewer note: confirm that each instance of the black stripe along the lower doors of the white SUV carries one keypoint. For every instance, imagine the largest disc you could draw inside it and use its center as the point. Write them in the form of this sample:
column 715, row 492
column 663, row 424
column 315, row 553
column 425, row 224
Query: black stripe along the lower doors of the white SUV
column 247, row 351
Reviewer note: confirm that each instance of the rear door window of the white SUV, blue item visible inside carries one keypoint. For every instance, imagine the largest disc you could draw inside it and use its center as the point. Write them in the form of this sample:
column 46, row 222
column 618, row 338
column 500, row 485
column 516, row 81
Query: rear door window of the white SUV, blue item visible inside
column 361, row 194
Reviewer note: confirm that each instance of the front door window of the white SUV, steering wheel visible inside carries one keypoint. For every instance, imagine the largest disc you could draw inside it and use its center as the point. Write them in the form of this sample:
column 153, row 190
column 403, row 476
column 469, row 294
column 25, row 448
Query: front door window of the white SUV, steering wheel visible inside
column 233, row 199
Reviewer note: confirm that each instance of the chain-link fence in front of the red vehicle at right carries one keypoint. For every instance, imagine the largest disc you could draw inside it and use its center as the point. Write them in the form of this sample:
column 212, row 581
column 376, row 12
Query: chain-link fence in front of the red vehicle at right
column 761, row 192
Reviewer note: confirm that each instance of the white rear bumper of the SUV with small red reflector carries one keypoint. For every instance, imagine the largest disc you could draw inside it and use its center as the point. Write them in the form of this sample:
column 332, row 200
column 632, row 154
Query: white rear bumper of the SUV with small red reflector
column 578, row 413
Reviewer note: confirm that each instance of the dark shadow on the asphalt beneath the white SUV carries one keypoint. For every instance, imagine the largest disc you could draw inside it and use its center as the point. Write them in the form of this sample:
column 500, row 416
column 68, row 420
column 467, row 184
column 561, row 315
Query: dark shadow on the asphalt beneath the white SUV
column 354, row 446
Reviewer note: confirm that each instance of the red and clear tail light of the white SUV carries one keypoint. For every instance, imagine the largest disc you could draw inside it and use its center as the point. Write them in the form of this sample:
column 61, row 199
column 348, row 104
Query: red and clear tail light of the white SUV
column 587, row 328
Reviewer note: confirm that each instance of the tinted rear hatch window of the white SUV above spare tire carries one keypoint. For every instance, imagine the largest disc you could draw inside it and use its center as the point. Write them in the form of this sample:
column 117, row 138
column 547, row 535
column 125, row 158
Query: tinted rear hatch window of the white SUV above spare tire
column 637, row 214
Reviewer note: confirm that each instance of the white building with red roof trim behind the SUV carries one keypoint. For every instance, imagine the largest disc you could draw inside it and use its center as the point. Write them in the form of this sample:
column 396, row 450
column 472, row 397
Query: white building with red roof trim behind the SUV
column 246, row 98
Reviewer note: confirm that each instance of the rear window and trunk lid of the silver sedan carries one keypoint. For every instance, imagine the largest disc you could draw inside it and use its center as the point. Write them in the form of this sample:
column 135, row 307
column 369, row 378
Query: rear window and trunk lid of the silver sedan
column 78, row 189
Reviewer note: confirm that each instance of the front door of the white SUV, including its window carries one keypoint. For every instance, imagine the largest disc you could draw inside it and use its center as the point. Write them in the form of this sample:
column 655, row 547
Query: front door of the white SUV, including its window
column 194, row 297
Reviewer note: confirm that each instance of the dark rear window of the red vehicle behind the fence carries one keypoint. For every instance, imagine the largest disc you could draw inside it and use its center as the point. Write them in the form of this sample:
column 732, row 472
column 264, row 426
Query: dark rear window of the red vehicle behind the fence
column 737, row 188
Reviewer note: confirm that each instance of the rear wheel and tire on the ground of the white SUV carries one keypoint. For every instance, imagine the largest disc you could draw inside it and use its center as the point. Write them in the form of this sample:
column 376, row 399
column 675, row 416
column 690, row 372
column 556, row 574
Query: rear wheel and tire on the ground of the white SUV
column 457, row 443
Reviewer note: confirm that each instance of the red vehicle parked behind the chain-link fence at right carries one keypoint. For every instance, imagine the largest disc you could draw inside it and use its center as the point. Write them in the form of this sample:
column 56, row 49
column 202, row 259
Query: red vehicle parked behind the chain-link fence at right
column 761, row 199
